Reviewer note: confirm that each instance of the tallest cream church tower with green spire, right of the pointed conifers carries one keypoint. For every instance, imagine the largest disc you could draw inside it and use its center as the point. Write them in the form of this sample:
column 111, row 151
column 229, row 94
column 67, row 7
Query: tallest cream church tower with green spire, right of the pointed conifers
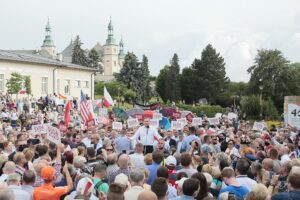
column 110, row 53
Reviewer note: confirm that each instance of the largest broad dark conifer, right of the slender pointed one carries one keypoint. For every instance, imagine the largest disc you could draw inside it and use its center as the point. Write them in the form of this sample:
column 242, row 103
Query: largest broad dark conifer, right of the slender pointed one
column 210, row 76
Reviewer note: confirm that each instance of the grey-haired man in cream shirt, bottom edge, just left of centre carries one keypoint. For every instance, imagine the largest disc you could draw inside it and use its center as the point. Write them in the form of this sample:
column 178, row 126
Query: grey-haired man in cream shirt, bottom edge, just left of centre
column 136, row 178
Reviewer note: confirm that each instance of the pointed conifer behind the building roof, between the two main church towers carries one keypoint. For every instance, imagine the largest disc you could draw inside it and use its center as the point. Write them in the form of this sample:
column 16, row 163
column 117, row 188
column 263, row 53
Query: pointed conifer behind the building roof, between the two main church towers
column 79, row 56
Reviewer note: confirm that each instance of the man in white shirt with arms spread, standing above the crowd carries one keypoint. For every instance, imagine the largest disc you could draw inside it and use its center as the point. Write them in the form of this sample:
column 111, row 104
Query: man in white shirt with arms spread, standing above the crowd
column 146, row 135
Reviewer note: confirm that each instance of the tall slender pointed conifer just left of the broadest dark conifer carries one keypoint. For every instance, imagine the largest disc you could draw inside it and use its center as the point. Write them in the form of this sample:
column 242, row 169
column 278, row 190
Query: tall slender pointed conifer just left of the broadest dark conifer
column 172, row 84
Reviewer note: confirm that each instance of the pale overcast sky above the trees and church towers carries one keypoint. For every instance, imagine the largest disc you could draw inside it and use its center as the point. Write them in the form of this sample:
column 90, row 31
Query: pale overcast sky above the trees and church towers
column 159, row 28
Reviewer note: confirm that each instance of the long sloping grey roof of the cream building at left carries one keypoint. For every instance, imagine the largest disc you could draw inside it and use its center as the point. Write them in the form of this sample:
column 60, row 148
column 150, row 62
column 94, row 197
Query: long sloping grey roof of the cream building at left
column 30, row 58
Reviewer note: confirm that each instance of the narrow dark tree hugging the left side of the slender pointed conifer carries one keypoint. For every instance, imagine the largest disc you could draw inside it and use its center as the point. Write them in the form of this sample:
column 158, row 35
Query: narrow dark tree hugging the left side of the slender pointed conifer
column 160, row 83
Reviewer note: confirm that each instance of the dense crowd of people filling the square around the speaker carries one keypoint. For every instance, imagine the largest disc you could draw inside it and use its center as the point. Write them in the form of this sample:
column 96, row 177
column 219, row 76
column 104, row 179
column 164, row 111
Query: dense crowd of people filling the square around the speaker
column 230, row 160
